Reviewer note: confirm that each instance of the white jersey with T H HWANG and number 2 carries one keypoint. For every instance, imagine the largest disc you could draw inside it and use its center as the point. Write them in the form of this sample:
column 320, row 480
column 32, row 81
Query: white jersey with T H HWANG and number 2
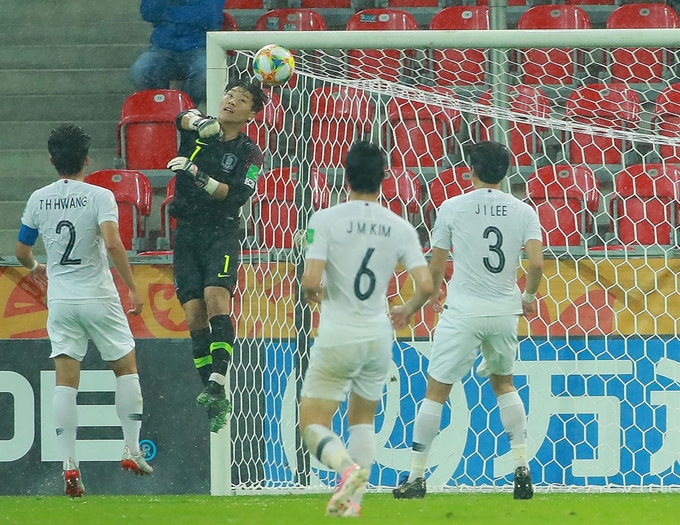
column 67, row 214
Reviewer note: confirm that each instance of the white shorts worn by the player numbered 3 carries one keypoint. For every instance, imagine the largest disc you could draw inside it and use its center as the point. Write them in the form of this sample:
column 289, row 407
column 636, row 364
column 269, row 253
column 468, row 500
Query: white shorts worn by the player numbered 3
column 458, row 339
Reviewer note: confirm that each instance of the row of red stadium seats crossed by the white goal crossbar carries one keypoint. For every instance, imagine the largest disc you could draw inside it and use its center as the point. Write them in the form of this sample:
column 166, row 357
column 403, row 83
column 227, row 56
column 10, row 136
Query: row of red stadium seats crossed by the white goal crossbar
column 464, row 67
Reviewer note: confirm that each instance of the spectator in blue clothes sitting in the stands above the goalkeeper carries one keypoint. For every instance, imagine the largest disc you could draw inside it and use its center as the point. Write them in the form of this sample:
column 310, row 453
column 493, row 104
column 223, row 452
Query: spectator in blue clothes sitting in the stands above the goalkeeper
column 177, row 50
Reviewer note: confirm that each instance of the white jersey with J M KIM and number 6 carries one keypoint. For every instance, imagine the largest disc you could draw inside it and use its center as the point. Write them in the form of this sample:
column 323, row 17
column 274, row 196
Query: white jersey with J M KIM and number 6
column 362, row 243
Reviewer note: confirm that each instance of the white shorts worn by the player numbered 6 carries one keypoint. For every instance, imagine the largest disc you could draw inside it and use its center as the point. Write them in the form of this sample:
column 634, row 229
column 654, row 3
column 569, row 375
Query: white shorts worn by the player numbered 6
column 360, row 367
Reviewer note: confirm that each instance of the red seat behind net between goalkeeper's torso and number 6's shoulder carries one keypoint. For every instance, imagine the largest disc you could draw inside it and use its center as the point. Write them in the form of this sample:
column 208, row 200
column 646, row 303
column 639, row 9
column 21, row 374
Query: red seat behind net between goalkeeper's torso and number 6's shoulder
column 273, row 206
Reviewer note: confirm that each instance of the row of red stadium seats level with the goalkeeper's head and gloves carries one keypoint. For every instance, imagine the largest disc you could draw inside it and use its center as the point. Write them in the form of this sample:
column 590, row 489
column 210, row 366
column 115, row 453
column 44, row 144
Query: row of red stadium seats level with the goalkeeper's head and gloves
column 416, row 134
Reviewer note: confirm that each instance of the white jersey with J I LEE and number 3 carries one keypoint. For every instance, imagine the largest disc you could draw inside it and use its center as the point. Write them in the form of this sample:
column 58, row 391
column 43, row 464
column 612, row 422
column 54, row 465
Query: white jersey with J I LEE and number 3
column 487, row 230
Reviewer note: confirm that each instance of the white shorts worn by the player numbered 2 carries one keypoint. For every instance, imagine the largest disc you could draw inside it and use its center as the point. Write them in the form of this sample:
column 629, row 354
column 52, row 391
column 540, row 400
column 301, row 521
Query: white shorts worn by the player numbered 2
column 69, row 325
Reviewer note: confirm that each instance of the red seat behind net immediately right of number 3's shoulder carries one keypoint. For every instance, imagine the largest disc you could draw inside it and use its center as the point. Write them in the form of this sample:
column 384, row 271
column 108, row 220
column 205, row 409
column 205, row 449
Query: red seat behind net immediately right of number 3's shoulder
column 565, row 197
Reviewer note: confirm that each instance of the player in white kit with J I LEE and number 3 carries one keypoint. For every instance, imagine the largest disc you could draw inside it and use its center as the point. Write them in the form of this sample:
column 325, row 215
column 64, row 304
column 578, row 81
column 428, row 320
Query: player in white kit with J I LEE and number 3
column 487, row 230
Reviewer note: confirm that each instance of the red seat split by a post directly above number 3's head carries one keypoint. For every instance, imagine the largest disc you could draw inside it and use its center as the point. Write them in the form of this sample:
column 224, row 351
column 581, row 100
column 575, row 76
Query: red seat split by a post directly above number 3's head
column 524, row 138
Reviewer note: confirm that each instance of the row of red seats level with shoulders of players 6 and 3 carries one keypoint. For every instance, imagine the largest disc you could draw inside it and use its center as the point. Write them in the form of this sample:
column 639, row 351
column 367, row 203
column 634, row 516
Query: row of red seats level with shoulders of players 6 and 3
column 644, row 208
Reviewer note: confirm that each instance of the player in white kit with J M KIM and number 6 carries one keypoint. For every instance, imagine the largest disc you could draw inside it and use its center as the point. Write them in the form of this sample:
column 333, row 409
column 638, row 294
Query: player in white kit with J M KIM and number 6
column 353, row 250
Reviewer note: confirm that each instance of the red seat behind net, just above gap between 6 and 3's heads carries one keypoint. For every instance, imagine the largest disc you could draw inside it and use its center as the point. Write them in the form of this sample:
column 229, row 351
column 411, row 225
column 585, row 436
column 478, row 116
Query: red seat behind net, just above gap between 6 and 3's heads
column 419, row 134
